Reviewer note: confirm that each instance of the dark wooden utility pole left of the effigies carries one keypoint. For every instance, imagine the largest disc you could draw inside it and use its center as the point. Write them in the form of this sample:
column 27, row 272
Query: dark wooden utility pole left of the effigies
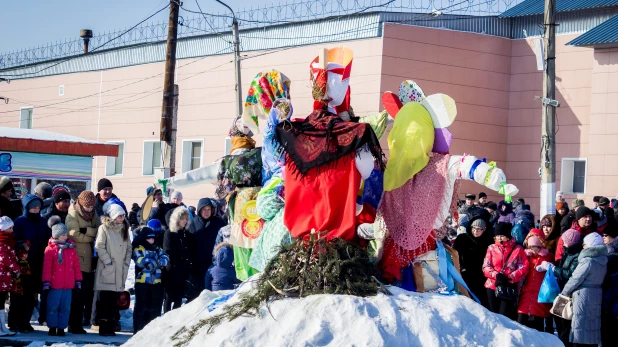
column 167, row 135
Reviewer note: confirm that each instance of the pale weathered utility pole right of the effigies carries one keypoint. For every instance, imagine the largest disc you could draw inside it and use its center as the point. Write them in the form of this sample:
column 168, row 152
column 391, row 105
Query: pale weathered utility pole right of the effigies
column 548, row 129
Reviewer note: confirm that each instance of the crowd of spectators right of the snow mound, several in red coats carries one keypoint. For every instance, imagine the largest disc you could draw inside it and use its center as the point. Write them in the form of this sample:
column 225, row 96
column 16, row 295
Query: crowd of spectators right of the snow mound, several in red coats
column 505, row 254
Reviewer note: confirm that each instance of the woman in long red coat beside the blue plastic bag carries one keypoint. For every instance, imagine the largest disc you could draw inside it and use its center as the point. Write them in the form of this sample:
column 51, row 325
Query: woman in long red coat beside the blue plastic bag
column 530, row 312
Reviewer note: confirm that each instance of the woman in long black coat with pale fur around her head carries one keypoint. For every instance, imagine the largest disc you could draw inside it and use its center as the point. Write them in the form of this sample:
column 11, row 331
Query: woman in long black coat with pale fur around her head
column 176, row 245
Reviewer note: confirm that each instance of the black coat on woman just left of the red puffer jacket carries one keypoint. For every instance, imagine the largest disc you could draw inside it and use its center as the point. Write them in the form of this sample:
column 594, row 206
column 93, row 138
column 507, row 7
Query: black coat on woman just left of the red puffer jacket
column 472, row 251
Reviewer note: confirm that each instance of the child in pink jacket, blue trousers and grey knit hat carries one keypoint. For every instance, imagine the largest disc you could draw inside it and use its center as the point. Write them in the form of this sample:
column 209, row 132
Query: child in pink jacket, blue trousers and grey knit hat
column 61, row 274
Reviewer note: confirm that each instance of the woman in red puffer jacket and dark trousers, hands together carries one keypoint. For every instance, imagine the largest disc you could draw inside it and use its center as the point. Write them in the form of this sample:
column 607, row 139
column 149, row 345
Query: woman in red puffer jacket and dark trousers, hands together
column 505, row 264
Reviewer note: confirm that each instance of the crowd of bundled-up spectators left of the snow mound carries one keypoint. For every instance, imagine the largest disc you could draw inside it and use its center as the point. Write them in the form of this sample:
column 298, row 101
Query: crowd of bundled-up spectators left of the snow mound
column 71, row 259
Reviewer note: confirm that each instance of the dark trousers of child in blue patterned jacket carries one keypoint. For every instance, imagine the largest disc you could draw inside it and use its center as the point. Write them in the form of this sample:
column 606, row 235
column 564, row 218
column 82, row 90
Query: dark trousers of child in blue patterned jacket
column 148, row 302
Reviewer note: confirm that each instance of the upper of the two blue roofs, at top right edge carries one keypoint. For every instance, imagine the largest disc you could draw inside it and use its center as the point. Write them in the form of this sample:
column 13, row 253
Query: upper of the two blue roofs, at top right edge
column 532, row 7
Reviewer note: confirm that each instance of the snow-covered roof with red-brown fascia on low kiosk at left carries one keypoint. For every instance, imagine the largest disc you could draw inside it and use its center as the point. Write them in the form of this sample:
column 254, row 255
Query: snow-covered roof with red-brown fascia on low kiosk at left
column 42, row 141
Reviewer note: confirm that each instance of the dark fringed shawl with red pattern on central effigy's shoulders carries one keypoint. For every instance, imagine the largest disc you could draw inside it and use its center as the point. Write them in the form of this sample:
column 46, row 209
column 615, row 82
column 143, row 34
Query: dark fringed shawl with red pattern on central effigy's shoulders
column 323, row 138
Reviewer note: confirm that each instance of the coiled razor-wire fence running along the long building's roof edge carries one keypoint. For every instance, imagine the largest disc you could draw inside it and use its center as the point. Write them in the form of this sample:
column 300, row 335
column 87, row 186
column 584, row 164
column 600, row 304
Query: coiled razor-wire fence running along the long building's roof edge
column 193, row 23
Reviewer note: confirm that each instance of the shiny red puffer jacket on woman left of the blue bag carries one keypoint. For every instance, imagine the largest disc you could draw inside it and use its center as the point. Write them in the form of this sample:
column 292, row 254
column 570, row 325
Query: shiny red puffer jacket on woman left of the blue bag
column 517, row 263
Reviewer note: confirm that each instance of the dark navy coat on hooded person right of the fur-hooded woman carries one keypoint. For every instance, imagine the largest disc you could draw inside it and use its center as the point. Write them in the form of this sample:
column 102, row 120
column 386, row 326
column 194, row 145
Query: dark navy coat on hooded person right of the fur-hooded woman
column 203, row 234
